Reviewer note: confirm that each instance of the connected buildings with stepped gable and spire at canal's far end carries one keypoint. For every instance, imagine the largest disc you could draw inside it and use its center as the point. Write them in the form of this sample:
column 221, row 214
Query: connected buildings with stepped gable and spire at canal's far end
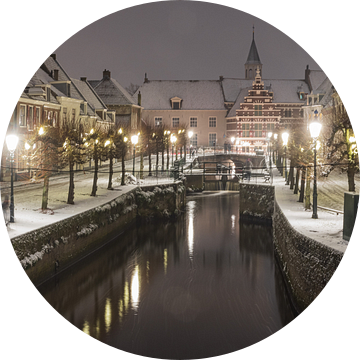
column 229, row 111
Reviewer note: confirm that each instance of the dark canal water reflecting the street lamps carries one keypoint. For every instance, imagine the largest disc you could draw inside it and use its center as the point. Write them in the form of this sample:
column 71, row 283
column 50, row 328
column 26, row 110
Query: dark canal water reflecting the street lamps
column 204, row 286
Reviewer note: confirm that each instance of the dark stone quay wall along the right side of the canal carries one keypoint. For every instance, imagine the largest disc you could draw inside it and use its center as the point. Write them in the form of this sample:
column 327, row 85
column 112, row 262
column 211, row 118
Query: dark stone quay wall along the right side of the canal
column 307, row 265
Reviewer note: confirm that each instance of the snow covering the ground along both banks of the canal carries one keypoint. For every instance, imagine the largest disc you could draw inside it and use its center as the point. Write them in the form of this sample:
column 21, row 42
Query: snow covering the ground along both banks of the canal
column 327, row 229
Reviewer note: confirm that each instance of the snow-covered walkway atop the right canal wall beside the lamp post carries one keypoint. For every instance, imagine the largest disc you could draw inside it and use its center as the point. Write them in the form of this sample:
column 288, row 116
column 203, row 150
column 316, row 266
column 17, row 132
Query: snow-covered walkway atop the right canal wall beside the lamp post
column 327, row 229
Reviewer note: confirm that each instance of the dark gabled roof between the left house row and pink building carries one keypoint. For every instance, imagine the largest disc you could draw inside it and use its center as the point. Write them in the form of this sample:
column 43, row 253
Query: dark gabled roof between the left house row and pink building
column 111, row 92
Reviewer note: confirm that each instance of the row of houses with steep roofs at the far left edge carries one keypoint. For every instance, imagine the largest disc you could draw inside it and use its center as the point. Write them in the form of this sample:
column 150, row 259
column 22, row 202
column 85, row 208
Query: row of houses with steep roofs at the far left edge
column 51, row 98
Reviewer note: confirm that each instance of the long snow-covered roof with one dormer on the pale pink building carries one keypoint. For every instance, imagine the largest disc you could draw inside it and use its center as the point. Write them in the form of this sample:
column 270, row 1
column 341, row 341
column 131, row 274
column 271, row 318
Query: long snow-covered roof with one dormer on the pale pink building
column 195, row 94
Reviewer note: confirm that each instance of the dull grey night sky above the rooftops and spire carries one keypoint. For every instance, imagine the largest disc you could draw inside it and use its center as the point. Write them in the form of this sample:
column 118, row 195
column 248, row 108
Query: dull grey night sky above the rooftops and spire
column 180, row 40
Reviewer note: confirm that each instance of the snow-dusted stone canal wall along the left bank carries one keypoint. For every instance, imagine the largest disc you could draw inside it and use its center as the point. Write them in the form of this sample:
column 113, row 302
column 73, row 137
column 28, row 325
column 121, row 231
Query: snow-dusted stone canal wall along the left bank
column 45, row 251
